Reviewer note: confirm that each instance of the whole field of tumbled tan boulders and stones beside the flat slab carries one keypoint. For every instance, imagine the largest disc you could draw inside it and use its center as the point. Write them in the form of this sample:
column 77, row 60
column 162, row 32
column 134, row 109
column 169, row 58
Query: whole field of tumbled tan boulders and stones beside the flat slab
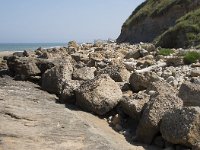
column 147, row 94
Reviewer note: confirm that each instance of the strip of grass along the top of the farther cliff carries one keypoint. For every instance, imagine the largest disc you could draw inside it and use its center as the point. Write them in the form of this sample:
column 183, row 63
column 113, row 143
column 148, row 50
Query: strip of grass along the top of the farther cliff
column 153, row 8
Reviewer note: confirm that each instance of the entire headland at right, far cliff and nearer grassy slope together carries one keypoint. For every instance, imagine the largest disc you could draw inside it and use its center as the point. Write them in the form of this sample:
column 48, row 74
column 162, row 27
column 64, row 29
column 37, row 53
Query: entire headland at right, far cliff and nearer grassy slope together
column 151, row 21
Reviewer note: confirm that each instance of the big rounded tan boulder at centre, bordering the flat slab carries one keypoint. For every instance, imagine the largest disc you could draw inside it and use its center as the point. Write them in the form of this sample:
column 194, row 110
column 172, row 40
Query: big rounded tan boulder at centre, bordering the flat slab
column 99, row 95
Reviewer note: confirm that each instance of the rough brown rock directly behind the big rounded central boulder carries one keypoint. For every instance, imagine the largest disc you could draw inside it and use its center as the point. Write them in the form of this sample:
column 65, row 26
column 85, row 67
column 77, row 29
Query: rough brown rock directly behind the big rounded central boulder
column 117, row 73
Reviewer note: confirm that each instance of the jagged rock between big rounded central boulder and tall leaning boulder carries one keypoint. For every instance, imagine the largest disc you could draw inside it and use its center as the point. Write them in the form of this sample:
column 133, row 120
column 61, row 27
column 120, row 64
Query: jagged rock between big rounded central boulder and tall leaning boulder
column 134, row 104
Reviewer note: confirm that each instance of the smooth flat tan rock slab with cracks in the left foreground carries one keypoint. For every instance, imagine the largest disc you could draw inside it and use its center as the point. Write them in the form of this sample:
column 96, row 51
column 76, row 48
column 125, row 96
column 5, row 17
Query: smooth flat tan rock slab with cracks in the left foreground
column 30, row 119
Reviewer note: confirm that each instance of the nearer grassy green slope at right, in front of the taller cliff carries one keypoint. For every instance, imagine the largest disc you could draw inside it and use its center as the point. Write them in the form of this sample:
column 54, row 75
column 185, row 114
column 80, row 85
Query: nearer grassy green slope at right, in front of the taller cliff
column 185, row 33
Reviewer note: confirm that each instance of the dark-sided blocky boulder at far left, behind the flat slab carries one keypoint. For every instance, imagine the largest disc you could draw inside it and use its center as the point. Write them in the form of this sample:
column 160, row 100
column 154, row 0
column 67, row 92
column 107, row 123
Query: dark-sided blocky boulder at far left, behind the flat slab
column 23, row 66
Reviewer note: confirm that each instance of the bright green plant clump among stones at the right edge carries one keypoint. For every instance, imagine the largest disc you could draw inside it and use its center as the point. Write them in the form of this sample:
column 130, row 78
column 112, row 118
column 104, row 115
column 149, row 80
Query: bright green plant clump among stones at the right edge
column 191, row 57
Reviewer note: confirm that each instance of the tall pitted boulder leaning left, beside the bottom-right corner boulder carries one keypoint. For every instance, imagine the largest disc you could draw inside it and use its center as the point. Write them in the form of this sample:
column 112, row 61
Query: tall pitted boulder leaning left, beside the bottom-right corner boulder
column 156, row 108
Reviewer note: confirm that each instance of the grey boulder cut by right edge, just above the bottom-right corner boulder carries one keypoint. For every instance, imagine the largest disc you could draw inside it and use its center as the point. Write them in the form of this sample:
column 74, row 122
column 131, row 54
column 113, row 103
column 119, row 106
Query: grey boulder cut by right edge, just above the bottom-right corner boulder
column 190, row 93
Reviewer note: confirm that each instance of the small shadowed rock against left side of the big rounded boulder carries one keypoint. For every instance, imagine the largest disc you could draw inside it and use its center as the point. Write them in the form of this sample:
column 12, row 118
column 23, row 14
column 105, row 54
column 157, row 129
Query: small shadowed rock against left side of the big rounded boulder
column 68, row 91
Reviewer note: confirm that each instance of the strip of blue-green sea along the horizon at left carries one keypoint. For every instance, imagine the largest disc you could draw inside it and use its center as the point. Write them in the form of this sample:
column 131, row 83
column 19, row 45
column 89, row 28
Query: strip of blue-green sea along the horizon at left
column 27, row 46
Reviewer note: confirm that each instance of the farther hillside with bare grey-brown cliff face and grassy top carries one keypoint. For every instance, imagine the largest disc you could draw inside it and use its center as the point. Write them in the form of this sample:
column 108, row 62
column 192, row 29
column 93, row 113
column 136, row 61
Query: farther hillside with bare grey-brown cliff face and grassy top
column 153, row 17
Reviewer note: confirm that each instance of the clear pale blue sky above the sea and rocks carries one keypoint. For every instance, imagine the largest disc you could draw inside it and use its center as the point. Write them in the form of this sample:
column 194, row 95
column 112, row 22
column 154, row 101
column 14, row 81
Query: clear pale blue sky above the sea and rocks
column 30, row 21
